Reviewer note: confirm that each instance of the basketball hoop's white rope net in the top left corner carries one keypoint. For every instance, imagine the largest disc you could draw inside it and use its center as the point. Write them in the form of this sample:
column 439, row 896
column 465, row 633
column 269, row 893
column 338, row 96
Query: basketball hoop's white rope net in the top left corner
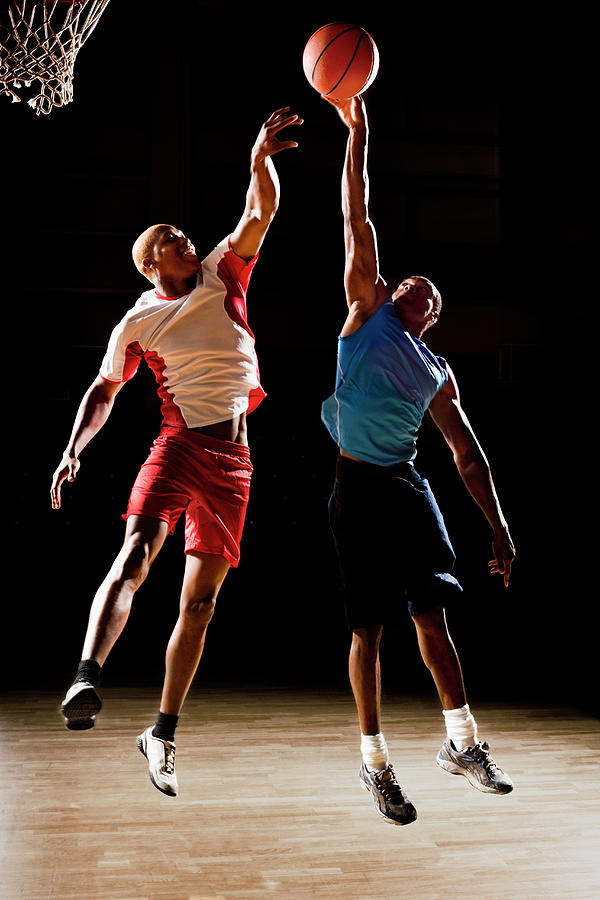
column 41, row 44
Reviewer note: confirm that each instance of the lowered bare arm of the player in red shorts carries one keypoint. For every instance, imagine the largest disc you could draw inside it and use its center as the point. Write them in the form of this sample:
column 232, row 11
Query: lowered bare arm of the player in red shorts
column 93, row 412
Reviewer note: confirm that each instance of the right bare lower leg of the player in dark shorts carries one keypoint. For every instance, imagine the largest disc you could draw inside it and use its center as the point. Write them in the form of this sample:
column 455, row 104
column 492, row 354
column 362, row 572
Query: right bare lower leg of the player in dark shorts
column 440, row 657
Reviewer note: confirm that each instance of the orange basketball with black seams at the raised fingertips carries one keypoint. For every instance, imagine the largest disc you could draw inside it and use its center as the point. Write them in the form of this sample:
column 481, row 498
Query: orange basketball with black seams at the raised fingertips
column 340, row 60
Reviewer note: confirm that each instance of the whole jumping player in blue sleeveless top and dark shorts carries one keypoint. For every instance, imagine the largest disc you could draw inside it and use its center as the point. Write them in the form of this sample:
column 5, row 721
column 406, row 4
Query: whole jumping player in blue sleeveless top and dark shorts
column 390, row 536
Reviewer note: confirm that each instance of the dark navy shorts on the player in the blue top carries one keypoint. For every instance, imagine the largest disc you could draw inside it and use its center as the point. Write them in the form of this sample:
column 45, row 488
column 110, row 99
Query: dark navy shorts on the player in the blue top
column 391, row 543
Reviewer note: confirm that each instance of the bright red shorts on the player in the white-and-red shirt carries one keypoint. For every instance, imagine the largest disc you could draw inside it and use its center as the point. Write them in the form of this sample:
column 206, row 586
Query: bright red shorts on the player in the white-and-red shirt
column 206, row 477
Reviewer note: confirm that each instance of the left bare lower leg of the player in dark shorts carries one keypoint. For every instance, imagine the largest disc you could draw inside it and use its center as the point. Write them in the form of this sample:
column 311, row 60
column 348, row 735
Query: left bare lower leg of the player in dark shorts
column 365, row 677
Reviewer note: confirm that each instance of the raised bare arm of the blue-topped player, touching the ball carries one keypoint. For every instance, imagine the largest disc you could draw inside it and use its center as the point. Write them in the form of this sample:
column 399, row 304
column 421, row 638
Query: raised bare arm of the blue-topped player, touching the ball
column 365, row 288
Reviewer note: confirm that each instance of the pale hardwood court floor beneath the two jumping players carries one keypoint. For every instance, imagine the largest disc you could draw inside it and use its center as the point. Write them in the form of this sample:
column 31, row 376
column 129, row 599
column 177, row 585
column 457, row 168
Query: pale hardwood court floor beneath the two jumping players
column 270, row 804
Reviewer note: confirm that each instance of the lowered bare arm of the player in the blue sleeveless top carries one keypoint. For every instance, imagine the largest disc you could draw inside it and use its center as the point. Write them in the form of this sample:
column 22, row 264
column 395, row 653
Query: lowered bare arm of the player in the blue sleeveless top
column 474, row 470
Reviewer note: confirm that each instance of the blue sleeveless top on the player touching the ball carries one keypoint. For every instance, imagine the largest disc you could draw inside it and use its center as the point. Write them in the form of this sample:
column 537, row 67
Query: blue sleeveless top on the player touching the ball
column 385, row 381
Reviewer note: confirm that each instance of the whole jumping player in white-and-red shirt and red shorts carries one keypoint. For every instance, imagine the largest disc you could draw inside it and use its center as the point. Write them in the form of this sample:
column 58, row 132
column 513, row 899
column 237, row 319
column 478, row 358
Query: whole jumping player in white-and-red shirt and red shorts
column 192, row 330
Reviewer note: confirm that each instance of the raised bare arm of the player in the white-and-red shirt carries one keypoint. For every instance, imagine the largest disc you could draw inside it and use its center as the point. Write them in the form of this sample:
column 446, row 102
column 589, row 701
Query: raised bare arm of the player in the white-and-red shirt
column 262, row 198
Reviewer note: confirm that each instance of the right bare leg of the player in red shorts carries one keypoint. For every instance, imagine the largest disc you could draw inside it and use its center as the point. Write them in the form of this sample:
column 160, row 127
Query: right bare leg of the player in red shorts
column 204, row 575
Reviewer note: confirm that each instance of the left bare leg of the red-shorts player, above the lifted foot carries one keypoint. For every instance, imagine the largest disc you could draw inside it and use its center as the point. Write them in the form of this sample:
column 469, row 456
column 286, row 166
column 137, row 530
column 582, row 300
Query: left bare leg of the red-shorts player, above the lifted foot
column 144, row 536
